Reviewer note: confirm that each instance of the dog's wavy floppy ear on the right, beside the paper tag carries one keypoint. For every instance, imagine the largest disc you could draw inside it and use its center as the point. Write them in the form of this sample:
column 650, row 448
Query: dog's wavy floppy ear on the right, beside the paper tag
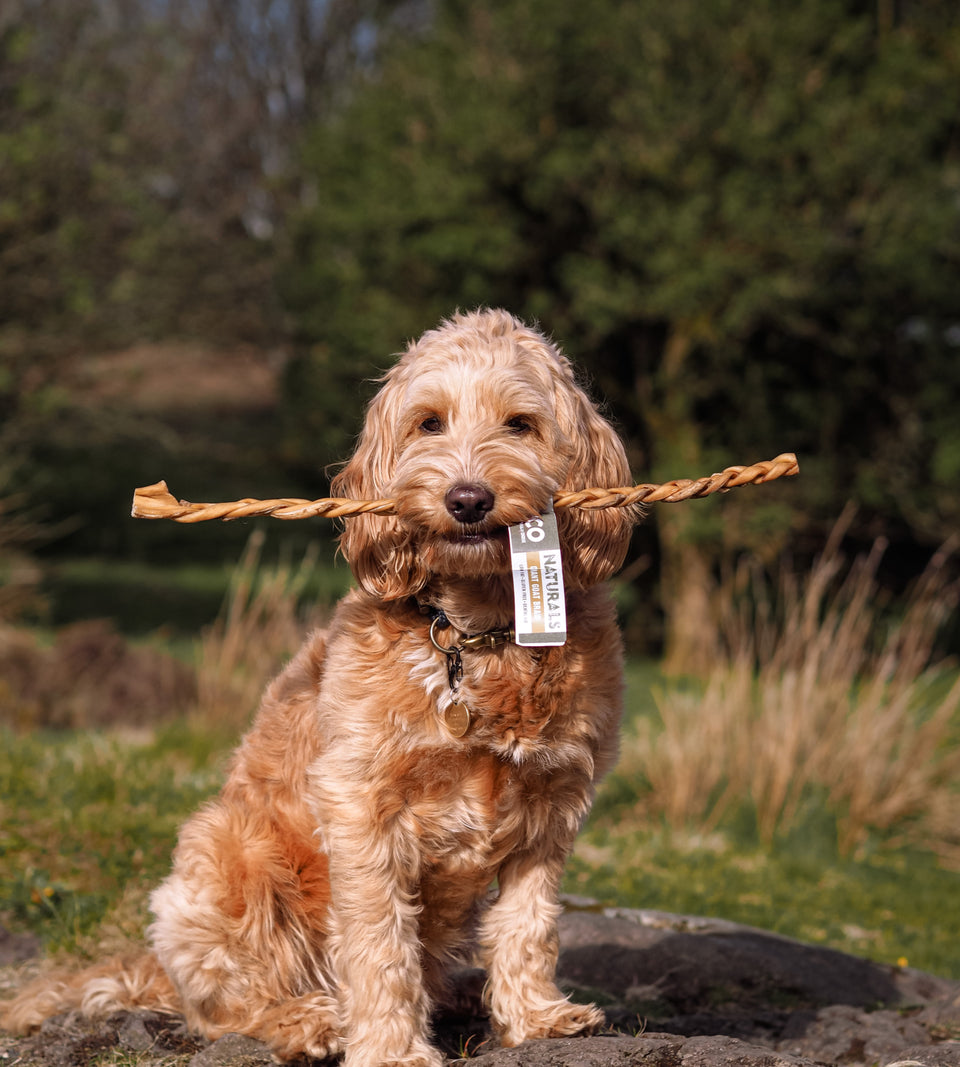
column 595, row 540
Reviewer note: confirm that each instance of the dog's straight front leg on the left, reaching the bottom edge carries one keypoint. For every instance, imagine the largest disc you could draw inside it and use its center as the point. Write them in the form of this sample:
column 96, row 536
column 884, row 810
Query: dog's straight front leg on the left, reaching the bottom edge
column 375, row 871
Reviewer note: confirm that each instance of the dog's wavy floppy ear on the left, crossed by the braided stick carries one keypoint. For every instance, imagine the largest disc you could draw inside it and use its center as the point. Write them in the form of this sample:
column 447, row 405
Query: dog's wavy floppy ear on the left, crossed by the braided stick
column 378, row 549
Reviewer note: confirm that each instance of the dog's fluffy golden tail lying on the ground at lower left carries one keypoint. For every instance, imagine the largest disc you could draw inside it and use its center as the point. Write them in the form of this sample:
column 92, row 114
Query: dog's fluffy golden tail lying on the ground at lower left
column 118, row 984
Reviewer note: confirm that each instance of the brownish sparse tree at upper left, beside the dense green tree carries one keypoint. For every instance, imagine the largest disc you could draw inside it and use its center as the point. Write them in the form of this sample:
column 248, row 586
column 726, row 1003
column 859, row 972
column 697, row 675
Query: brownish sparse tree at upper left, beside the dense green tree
column 146, row 155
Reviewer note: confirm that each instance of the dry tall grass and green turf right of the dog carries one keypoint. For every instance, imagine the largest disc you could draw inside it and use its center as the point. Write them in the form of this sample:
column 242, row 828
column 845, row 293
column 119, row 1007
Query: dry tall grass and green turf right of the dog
column 808, row 784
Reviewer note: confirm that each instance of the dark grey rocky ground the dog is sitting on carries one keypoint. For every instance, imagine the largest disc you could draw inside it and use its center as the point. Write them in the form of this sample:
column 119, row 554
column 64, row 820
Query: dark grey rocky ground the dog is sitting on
column 679, row 993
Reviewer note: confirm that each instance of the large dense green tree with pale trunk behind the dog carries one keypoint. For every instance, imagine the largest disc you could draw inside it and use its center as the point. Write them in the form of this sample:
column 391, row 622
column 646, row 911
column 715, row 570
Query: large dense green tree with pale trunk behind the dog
column 743, row 219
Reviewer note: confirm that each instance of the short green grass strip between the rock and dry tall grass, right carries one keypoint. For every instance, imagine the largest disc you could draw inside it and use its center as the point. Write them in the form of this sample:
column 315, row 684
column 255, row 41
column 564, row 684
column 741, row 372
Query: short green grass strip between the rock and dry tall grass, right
column 890, row 907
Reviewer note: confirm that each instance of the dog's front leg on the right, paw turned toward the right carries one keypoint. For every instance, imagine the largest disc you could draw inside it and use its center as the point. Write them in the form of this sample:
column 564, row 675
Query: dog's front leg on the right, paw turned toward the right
column 521, row 945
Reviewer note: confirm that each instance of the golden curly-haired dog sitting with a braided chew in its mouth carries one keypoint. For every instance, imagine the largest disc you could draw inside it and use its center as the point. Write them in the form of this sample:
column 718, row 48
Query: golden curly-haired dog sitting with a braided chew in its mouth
column 319, row 900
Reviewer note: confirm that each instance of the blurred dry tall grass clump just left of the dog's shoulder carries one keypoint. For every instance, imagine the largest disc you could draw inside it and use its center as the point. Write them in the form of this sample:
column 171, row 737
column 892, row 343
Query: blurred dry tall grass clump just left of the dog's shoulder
column 261, row 627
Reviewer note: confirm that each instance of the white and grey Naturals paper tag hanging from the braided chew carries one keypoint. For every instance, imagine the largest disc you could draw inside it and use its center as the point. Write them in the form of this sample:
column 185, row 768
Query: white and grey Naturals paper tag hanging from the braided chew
column 540, row 606
